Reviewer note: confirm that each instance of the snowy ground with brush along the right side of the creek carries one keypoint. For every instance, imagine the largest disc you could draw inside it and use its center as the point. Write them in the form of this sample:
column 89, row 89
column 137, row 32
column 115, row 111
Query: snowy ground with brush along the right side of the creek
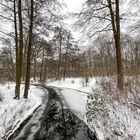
column 103, row 108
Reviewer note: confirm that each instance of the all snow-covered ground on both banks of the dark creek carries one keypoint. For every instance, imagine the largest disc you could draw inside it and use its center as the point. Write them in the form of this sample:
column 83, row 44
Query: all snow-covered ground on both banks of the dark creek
column 110, row 113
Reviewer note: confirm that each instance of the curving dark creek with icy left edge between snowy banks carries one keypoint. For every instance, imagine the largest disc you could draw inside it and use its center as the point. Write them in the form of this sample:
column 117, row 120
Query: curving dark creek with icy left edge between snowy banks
column 52, row 121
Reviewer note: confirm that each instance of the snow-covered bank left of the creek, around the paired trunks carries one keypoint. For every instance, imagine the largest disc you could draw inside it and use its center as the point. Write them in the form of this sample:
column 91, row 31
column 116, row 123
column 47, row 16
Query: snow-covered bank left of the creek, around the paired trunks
column 14, row 112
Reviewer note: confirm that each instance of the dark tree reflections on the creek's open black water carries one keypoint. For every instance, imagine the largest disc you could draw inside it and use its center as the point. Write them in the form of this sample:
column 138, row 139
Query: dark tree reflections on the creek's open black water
column 61, row 124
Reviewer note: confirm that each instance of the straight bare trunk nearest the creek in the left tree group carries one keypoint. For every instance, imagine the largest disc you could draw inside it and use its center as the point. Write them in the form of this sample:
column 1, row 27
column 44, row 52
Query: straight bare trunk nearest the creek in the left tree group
column 28, row 67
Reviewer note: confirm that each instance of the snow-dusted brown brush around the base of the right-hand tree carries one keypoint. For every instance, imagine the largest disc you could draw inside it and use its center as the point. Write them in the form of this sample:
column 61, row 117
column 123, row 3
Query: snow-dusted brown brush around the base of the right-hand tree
column 114, row 114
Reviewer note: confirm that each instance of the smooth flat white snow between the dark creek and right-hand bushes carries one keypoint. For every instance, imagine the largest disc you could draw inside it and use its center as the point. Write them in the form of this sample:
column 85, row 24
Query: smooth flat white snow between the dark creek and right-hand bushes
column 74, row 92
